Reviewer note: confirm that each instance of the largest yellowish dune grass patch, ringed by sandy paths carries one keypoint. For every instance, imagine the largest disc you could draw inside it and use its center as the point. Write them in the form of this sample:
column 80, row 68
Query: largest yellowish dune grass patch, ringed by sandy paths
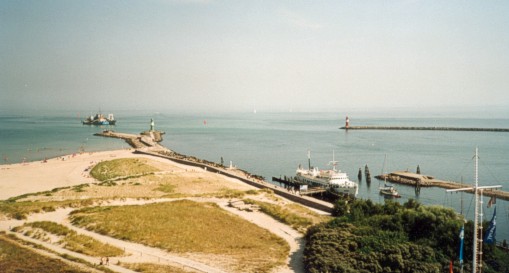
column 186, row 226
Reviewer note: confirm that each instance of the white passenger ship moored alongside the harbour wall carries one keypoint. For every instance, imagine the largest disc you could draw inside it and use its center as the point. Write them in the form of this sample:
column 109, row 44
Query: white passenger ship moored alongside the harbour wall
column 333, row 180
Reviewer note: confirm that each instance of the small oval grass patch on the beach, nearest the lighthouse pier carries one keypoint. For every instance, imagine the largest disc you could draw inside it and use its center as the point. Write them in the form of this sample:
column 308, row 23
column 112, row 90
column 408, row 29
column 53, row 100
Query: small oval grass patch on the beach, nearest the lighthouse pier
column 122, row 168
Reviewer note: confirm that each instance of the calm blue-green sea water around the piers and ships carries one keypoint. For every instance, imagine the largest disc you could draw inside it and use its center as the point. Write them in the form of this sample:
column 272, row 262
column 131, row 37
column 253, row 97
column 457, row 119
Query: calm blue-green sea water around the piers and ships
column 274, row 144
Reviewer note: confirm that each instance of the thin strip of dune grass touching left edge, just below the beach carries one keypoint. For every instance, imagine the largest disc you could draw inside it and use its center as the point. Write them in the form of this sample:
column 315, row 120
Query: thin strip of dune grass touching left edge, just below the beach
column 20, row 210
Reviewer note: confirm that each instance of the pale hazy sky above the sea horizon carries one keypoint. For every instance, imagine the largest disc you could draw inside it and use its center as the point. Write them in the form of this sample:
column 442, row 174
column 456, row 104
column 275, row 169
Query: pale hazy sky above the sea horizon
column 200, row 55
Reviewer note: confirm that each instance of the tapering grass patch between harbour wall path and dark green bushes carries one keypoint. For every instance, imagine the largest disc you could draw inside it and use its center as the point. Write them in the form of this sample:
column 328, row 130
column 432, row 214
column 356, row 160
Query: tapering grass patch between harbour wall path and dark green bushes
column 294, row 215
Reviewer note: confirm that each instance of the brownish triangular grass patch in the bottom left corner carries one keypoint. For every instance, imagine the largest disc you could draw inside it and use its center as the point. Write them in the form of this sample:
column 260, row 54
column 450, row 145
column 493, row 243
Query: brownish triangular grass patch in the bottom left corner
column 15, row 258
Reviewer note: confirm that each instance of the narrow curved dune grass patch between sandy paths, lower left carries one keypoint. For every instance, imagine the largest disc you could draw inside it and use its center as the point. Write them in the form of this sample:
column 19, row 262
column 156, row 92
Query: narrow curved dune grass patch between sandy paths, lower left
column 70, row 239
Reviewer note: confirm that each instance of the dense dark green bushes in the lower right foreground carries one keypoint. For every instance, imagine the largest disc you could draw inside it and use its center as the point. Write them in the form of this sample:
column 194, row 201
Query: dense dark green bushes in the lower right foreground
column 368, row 237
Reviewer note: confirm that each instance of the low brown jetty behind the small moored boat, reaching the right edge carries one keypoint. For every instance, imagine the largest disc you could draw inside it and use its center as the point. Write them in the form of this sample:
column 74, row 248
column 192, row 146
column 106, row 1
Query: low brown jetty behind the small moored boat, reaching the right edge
column 419, row 180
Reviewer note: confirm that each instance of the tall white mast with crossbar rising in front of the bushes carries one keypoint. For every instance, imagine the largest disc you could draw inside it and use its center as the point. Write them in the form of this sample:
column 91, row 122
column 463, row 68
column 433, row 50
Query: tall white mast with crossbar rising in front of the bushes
column 477, row 242
